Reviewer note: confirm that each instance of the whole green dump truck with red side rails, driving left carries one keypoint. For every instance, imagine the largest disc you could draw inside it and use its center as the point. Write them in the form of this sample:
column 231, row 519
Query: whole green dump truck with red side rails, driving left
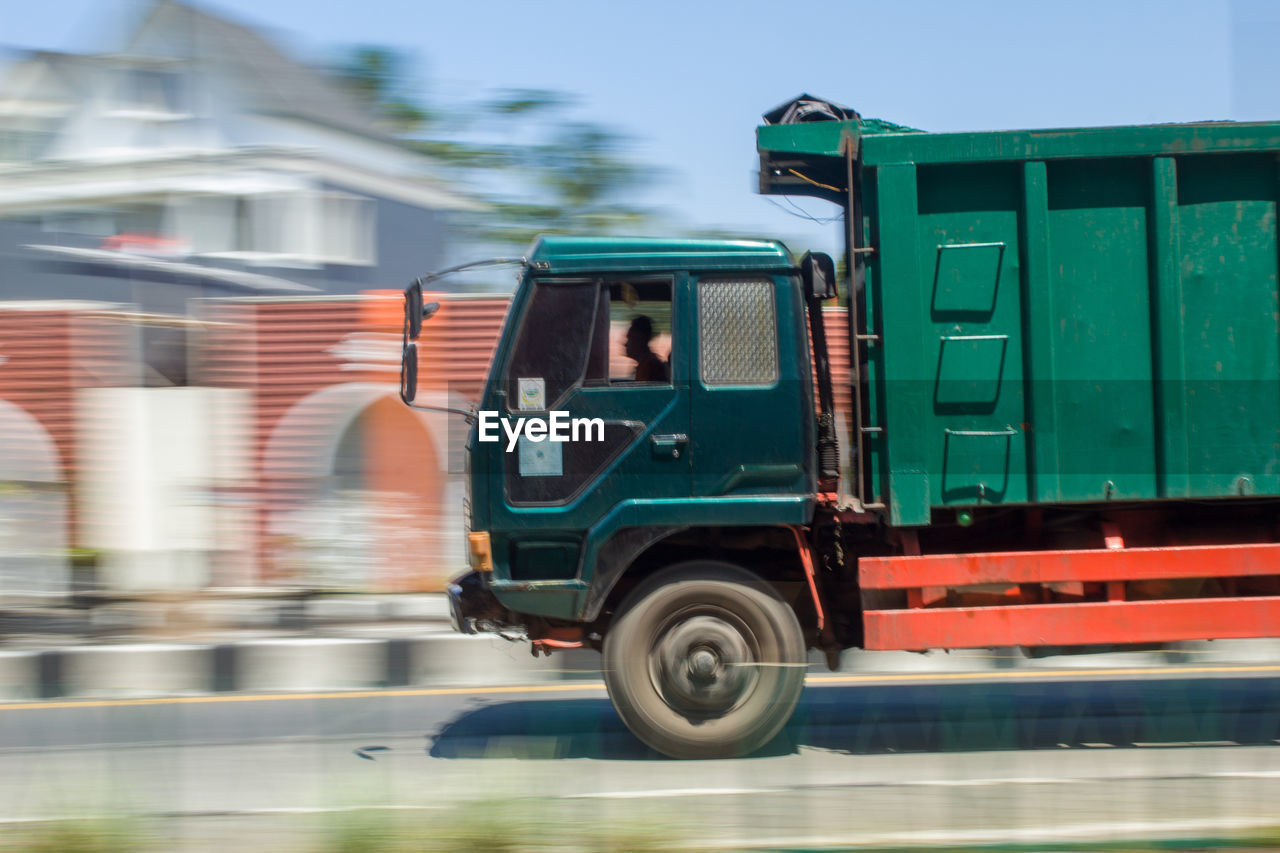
column 1058, row 422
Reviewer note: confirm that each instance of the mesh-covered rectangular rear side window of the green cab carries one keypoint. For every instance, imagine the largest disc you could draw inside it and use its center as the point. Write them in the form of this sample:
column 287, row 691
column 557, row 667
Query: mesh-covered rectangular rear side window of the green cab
column 738, row 332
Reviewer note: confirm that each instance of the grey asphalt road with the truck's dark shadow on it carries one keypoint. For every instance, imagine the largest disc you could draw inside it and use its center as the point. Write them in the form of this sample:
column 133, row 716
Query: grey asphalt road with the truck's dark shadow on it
column 911, row 760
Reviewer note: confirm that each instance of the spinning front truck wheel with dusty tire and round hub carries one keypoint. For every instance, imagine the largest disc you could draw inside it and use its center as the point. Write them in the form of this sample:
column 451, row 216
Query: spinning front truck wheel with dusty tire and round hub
column 705, row 662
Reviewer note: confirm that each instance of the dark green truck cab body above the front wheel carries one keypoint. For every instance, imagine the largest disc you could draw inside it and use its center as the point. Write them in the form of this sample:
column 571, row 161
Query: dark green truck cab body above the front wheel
column 729, row 327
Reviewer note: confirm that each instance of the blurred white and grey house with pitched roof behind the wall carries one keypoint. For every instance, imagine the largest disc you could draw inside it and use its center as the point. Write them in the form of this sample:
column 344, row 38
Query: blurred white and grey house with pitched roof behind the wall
column 203, row 147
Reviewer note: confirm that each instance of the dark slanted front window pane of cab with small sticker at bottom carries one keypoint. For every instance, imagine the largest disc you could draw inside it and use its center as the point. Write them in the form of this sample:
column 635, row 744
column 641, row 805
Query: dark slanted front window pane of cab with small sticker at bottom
column 551, row 350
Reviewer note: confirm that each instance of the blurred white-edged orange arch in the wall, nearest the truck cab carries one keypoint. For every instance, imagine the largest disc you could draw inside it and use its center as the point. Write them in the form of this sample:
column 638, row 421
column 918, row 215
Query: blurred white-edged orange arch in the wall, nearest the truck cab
column 356, row 487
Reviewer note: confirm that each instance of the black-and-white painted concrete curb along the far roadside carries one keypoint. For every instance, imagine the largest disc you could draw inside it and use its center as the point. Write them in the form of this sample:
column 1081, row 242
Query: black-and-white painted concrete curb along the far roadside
column 273, row 665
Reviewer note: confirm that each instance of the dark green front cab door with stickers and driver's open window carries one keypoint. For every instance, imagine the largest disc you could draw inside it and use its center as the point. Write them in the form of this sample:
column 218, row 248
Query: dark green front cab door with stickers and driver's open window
column 632, row 436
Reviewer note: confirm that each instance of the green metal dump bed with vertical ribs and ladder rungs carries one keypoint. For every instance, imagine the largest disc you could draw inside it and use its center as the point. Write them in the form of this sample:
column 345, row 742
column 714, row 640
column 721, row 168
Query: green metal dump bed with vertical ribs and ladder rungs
column 1063, row 316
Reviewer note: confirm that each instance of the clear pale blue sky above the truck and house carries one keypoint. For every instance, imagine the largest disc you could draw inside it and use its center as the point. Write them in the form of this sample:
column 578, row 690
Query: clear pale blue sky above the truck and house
column 688, row 81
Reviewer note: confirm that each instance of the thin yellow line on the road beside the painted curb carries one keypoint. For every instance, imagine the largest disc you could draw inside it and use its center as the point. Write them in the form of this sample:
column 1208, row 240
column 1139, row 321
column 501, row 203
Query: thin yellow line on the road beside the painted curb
column 816, row 681
